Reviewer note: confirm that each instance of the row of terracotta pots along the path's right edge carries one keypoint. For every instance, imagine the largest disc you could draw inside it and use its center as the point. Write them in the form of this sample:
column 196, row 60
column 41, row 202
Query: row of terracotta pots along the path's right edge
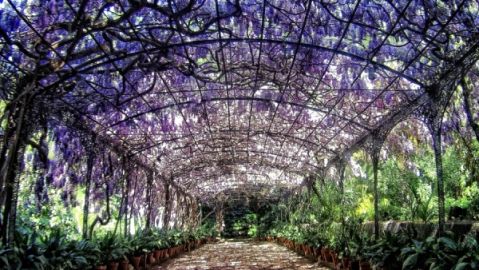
column 323, row 254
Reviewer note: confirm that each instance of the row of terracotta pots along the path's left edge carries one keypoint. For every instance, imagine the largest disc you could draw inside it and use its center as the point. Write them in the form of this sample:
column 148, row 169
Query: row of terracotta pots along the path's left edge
column 155, row 257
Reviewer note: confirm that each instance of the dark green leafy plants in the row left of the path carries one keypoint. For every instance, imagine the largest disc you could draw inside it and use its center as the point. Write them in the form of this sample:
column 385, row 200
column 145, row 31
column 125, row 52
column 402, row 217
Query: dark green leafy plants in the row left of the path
column 56, row 250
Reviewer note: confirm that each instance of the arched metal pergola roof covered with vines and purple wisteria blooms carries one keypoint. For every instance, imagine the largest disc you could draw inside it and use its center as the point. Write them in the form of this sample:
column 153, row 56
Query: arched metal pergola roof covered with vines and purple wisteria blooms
column 218, row 99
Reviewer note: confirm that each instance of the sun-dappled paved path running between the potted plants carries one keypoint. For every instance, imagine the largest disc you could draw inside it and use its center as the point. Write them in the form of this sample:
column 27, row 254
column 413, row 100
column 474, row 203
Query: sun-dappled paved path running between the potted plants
column 240, row 254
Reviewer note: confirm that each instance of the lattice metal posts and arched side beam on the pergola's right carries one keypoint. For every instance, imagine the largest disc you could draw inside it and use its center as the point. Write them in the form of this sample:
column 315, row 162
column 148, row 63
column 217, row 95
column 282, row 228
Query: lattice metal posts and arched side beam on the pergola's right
column 431, row 107
